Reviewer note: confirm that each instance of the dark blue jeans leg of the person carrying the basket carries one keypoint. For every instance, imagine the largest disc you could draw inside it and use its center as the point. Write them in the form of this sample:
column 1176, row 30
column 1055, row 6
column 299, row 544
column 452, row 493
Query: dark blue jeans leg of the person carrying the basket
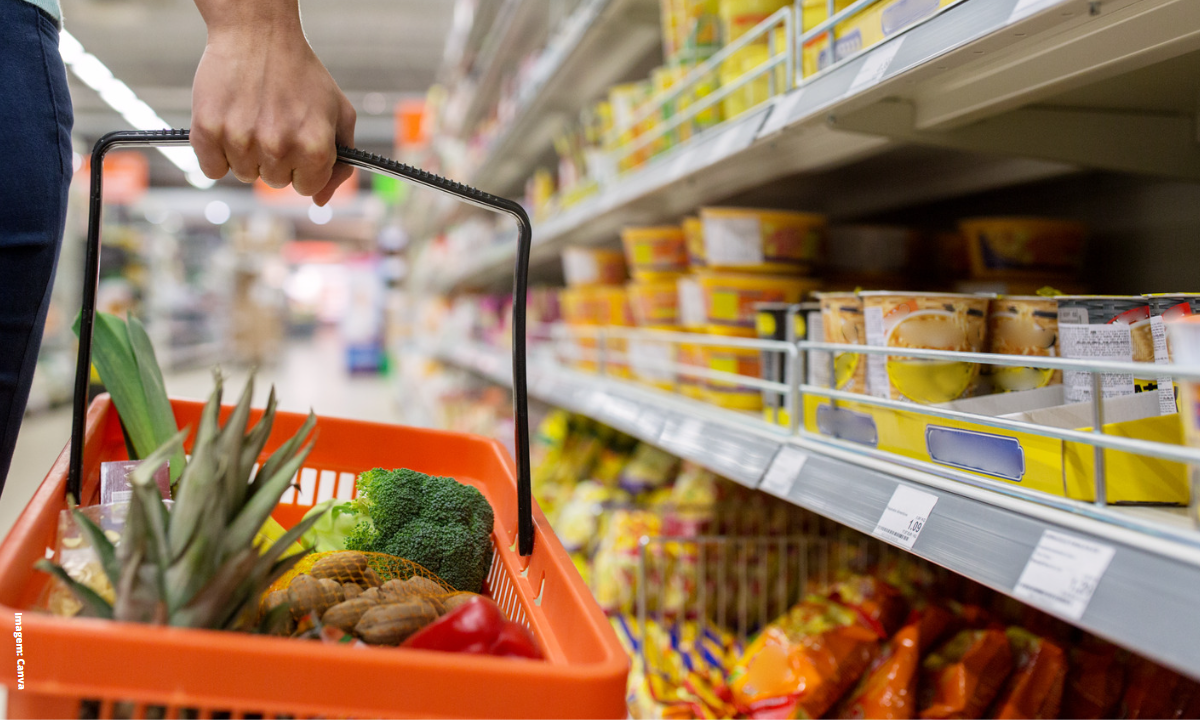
column 35, row 175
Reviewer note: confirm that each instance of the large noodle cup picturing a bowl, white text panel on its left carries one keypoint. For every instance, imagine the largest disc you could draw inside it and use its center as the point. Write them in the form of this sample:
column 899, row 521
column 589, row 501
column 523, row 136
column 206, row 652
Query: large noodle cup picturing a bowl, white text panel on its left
column 925, row 321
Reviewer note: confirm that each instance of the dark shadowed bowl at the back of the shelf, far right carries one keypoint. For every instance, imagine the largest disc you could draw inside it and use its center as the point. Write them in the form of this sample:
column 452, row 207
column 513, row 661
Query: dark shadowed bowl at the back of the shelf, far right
column 1024, row 247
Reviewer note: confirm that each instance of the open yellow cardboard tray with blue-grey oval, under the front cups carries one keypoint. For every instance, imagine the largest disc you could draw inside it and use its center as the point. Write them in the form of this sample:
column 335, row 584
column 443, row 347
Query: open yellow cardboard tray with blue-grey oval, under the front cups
column 1025, row 460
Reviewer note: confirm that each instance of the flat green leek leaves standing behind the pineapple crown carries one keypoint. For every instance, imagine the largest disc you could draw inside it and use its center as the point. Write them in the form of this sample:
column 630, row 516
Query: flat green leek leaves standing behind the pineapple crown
column 127, row 363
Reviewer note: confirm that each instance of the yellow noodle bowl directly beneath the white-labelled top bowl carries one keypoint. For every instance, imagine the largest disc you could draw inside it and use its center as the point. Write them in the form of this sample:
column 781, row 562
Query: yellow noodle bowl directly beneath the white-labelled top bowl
column 730, row 299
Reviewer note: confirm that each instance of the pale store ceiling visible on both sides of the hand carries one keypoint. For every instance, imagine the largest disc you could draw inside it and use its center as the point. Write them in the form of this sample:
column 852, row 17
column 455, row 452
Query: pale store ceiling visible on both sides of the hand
column 379, row 51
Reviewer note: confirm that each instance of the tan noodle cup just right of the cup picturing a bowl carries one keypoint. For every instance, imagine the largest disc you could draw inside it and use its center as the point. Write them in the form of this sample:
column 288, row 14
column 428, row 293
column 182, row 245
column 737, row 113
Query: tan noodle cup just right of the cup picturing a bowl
column 1023, row 326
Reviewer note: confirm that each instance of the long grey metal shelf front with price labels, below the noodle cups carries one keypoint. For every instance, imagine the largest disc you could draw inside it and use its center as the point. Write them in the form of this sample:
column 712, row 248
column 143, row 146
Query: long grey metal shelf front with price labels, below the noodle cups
column 982, row 530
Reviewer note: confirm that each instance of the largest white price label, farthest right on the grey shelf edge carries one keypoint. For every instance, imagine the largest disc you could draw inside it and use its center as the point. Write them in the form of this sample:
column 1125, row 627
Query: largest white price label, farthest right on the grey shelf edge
column 1063, row 574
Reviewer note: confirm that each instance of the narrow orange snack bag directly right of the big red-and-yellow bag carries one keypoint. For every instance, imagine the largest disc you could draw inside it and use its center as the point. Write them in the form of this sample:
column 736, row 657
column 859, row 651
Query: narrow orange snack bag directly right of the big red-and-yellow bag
column 889, row 691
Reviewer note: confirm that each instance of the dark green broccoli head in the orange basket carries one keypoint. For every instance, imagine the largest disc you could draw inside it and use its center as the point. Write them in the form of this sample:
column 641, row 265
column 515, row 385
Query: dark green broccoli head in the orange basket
column 439, row 523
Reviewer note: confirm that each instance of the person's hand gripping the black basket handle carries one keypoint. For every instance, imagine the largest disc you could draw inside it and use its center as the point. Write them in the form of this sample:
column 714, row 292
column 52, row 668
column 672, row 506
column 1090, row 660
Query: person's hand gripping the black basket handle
column 263, row 105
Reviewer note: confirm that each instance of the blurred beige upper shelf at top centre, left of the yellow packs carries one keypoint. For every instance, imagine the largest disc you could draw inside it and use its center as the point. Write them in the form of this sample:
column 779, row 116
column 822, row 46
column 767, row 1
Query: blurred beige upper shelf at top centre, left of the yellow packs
column 596, row 49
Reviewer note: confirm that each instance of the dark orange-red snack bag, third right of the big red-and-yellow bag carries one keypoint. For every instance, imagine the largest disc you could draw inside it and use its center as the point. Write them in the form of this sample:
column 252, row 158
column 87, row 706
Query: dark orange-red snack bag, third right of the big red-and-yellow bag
column 1035, row 689
